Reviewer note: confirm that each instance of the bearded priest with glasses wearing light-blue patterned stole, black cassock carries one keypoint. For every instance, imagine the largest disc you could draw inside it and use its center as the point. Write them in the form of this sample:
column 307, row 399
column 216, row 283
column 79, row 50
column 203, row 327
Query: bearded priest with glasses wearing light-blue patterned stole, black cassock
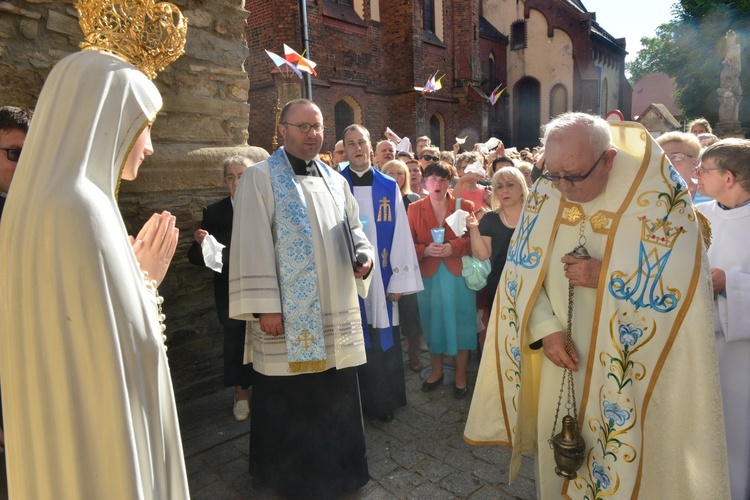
column 296, row 236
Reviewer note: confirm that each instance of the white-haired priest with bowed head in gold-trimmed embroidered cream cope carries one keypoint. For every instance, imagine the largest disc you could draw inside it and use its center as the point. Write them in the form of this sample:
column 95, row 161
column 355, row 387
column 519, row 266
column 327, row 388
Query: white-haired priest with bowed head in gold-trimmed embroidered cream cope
column 643, row 359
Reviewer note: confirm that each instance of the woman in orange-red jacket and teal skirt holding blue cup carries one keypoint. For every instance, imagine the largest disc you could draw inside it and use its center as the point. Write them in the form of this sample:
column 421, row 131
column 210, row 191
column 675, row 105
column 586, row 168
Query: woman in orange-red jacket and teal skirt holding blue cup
column 447, row 306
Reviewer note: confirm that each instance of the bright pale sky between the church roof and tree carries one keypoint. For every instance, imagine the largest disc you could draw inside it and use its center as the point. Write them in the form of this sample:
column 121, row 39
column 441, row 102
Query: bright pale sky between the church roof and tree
column 631, row 19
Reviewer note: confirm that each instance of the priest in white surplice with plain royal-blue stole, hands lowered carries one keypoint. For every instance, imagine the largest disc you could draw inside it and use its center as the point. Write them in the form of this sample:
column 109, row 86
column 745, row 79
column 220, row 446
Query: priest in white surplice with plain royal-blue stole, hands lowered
column 396, row 272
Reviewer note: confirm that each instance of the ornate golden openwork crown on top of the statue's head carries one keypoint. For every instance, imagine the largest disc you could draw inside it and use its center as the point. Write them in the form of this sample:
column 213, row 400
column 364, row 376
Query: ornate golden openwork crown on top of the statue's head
column 147, row 34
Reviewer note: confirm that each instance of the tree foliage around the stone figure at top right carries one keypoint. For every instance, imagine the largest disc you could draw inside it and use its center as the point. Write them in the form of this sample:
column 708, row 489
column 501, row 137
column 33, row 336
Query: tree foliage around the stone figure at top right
column 691, row 48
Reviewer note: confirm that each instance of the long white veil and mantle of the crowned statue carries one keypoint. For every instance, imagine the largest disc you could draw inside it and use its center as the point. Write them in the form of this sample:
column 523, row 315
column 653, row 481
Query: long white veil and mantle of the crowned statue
column 87, row 394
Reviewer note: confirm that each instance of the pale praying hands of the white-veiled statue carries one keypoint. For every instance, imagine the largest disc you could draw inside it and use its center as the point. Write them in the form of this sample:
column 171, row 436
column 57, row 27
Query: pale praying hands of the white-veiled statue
column 155, row 245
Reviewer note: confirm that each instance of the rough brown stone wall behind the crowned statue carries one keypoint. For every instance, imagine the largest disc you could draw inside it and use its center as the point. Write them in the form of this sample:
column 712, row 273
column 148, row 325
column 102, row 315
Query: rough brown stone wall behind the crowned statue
column 203, row 120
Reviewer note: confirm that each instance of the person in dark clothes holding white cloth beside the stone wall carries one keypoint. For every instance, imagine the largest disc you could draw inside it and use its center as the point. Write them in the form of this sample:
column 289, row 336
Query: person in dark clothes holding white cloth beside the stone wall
column 217, row 222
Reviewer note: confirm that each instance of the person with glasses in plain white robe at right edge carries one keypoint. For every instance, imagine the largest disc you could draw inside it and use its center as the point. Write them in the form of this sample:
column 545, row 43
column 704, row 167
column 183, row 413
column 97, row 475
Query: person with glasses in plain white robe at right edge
column 724, row 175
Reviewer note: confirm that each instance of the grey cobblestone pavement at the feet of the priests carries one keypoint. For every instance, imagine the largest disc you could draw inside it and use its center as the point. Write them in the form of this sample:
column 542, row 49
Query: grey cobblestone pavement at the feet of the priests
column 421, row 454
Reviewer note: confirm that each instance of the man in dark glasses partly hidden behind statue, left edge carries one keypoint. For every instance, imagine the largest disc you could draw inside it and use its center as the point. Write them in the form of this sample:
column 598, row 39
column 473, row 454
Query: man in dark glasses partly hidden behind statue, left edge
column 14, row 123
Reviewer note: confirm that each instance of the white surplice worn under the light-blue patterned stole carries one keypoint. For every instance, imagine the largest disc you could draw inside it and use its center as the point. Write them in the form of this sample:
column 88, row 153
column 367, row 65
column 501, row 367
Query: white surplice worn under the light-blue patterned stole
column 253, row 270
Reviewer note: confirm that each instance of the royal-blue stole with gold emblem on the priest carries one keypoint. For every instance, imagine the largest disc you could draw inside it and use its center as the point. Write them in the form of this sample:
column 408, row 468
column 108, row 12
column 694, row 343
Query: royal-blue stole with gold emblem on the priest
column 383, row 189
